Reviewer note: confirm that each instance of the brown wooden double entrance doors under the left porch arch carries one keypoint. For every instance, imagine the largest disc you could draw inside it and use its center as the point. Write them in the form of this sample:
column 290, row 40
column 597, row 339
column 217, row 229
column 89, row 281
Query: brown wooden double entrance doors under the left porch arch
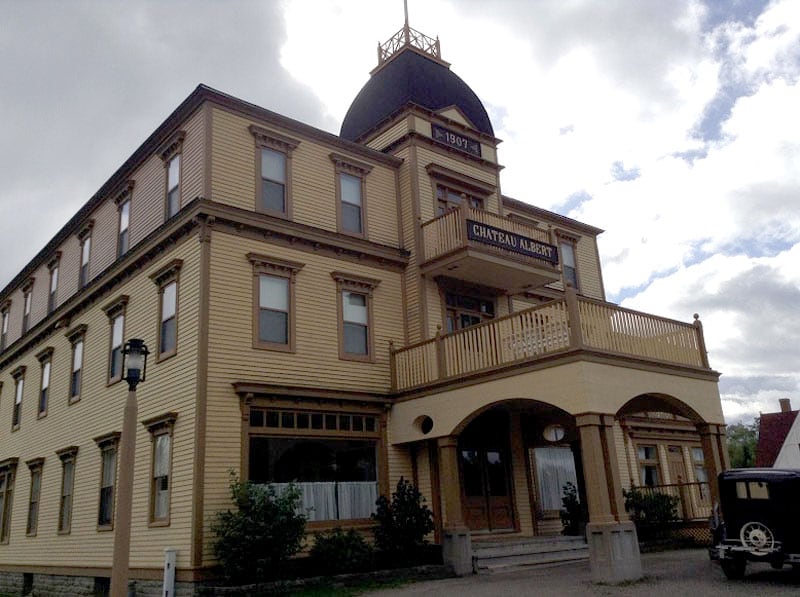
column 485, row 479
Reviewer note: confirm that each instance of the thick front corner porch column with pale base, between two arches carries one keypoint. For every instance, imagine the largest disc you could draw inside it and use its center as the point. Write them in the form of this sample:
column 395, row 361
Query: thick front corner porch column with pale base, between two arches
column 613, row 544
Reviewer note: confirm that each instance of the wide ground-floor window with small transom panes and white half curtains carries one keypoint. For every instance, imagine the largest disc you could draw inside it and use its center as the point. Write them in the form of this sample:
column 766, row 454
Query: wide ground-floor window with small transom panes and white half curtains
column 331, row 457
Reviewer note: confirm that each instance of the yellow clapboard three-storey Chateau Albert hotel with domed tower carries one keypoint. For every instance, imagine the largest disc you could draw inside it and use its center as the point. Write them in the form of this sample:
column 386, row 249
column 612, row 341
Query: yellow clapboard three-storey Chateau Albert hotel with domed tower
column 339, row 311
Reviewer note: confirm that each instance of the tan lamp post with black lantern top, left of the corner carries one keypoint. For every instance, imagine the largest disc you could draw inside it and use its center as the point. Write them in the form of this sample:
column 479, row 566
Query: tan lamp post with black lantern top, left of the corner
column 134, row 365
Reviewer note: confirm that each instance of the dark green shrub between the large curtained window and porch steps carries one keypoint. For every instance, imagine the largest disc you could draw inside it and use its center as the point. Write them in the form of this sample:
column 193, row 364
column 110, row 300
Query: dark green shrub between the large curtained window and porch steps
column 402, row 523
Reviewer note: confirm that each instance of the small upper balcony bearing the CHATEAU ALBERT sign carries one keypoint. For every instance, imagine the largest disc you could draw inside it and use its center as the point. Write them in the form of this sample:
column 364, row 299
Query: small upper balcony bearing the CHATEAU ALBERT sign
column 481, row 247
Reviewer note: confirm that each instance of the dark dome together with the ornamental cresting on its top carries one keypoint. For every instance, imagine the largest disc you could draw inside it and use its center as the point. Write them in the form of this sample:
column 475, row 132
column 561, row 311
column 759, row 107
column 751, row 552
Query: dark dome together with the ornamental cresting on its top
column 410, row 71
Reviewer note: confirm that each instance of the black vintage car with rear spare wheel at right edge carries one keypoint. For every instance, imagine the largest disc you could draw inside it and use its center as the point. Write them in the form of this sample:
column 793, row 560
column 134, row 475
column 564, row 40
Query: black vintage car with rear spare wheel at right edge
column 760, row 519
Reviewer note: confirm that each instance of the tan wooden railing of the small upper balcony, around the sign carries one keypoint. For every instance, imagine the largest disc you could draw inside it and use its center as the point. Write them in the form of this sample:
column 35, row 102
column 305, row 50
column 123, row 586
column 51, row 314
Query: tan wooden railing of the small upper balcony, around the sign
column 449, row 232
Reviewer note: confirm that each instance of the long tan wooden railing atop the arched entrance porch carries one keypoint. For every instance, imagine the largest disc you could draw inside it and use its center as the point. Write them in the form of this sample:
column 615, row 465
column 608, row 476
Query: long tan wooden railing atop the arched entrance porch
column 565, row 324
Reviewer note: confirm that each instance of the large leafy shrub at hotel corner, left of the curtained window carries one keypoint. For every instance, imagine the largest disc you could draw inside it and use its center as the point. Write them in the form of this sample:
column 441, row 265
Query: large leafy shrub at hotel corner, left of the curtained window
column 264, row 531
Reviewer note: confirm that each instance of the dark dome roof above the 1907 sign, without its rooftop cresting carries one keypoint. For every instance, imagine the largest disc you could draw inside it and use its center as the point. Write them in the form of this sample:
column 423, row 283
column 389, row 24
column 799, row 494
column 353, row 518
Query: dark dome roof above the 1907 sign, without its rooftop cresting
column 411, row 77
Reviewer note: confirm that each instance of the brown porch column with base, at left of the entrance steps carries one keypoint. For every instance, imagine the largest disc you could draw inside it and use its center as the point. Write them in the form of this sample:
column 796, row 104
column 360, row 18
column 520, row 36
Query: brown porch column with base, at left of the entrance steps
column 456, row 544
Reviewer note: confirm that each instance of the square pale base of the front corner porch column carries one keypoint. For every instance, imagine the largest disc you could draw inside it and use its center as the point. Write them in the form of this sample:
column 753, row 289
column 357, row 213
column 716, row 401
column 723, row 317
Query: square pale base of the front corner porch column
column 613, row 552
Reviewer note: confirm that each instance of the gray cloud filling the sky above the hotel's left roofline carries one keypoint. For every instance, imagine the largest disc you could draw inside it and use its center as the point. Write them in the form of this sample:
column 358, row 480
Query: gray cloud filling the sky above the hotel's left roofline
column 91, row 80
